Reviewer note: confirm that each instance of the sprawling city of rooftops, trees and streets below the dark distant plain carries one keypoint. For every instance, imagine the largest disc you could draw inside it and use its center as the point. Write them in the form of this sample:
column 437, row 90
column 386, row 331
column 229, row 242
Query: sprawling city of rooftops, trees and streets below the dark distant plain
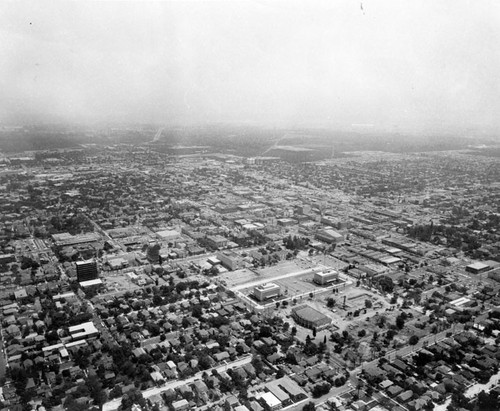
column 128, row 280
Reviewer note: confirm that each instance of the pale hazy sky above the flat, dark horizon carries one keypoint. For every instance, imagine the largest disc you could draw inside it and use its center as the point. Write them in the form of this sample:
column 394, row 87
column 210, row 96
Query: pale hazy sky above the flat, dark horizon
column 392, row 63
